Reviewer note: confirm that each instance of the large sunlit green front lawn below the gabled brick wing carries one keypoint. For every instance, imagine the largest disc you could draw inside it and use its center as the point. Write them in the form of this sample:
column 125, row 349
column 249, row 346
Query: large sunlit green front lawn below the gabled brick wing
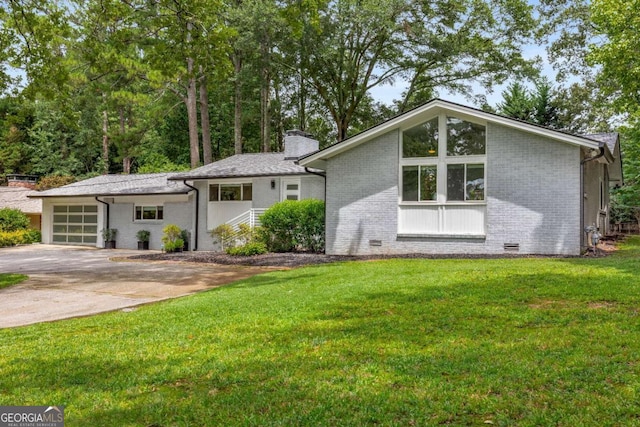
column 526, row 342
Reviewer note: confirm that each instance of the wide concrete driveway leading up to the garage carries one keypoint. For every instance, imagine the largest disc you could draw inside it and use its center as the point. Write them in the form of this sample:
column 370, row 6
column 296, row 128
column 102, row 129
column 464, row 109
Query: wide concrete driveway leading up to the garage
column 69, row 281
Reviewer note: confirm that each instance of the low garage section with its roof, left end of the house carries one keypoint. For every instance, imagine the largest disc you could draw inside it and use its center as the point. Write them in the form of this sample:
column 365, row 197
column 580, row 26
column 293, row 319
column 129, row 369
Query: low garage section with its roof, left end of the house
column 78, row 213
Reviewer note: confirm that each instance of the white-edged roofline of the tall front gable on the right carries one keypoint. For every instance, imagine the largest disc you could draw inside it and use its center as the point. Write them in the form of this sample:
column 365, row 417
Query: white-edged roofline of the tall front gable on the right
column 416, row 115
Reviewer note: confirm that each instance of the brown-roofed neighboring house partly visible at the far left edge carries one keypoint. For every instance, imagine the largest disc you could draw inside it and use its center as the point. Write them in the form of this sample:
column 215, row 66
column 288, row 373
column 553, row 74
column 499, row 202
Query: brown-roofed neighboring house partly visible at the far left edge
column 14, row 196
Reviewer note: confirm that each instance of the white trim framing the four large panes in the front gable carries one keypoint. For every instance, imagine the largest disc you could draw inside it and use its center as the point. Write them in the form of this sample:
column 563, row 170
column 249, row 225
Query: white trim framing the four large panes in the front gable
column 441, row 161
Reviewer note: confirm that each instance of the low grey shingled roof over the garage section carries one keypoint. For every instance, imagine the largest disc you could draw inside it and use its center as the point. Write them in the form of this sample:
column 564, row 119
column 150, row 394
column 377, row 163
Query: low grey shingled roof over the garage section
column 118, row 185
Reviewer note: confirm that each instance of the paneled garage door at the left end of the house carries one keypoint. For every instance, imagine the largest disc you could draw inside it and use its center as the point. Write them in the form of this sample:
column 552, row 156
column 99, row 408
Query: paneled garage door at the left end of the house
column 75, row 224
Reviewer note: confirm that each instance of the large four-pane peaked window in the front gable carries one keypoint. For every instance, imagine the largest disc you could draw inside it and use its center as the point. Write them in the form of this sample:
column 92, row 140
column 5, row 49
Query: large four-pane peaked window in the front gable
column 443, row 160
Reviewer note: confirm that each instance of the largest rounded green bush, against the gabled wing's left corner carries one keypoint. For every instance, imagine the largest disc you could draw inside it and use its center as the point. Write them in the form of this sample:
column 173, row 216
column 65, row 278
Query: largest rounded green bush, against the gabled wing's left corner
column 294, row 226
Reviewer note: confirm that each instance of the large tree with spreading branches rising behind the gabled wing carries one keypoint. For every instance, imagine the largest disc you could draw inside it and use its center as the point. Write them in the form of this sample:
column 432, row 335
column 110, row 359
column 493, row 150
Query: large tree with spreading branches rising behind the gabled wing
column 357, row 45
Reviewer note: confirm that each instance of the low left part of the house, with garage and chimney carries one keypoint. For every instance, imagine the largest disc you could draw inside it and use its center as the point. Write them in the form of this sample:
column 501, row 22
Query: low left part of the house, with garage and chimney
column 233, row 190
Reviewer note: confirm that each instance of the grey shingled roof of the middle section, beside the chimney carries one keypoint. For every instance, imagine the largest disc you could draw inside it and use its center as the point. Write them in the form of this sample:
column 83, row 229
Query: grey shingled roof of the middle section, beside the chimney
column 245, row 165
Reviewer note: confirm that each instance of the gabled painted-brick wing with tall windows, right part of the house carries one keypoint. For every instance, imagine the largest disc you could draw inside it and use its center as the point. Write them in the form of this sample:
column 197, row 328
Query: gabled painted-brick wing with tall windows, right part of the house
column 445, row 178
